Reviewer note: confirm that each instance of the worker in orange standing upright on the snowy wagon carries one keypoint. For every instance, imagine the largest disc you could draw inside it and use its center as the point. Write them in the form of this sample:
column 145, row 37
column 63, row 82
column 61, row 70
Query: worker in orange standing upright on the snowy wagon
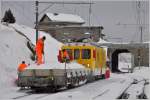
column 39, row 49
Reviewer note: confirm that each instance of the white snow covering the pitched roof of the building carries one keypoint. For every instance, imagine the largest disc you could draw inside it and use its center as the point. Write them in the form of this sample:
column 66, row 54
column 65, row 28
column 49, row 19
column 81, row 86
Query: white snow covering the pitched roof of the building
column 60, row 17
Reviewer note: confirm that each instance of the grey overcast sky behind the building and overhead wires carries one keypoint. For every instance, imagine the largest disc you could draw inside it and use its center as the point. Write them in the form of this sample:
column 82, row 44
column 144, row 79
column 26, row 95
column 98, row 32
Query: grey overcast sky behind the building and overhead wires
column 112, row 15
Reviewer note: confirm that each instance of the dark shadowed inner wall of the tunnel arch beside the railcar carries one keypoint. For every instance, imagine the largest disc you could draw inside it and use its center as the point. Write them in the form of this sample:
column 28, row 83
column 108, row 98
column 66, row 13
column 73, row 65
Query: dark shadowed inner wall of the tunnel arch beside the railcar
column 114, row 58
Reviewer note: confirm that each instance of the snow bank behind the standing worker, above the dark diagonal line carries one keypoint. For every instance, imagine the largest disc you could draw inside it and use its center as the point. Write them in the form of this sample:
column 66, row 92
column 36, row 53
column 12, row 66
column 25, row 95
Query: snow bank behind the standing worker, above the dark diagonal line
column 52, row 46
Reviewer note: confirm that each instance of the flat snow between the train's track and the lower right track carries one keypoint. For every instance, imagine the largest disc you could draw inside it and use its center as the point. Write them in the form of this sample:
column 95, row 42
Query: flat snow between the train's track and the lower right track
column 108, row 89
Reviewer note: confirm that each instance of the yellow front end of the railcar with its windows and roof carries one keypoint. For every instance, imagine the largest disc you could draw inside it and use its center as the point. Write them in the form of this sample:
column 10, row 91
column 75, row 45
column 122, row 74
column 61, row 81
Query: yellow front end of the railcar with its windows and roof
column 82, row 53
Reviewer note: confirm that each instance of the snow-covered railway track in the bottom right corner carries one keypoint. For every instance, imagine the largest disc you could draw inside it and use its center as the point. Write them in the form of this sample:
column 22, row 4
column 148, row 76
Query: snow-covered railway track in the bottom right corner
column 135, row 90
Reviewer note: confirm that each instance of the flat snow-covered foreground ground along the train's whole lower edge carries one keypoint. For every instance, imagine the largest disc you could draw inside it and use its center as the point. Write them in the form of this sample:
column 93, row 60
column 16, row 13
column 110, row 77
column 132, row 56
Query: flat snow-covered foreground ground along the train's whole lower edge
column 99, row 90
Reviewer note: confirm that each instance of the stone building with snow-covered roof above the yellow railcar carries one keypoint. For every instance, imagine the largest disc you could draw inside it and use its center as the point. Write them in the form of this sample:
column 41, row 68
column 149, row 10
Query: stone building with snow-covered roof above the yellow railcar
column 68, row 27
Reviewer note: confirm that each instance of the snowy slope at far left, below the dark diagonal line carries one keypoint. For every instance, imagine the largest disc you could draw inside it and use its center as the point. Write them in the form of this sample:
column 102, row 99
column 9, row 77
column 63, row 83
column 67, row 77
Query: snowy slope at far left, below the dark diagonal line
column 13, row 50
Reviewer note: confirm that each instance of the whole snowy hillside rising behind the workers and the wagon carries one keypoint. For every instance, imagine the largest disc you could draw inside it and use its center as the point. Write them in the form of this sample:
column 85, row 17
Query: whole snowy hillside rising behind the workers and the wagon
column 13, row 50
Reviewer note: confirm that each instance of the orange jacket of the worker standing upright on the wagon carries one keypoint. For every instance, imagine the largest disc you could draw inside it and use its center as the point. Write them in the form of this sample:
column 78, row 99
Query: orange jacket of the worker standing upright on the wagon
column 39, row 46
